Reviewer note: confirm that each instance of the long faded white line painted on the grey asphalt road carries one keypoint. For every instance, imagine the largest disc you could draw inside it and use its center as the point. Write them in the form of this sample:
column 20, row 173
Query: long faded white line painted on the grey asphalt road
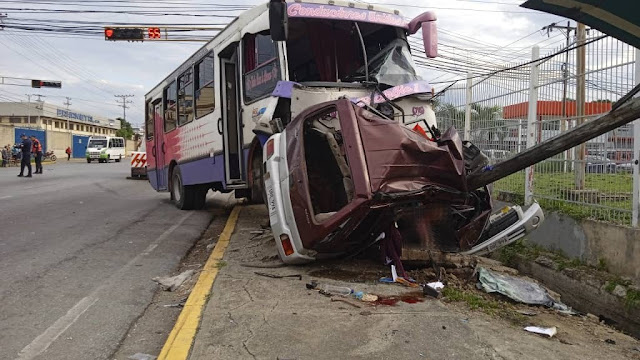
column 41, row 343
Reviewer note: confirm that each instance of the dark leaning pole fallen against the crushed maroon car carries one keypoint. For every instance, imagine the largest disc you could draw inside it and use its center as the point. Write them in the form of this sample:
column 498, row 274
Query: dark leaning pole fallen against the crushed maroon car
column 574, row 137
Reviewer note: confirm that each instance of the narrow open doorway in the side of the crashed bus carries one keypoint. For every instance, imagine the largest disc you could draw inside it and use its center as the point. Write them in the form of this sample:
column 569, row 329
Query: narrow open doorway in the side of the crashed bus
column 232, row 123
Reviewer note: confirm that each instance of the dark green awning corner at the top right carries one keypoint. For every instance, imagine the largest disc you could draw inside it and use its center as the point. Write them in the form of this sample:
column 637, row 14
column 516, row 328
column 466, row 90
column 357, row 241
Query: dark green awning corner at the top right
column 620, row 19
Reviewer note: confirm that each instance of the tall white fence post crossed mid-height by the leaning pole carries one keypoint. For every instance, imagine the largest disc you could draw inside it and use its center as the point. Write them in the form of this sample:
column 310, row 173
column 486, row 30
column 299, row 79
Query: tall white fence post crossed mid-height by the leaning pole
column 532, row 115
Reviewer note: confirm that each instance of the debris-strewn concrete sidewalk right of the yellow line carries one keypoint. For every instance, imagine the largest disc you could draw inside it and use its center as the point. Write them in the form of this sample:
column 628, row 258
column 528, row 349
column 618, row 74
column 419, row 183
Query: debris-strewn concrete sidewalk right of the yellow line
column 255, row 317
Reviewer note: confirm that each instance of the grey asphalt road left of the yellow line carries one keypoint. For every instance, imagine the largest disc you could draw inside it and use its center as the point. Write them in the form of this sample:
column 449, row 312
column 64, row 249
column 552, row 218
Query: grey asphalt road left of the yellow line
column 79, row 246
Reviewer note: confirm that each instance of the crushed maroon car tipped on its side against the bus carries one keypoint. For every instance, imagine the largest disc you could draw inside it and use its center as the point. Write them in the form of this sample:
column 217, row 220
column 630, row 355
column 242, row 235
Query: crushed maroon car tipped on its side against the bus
column 339, row 178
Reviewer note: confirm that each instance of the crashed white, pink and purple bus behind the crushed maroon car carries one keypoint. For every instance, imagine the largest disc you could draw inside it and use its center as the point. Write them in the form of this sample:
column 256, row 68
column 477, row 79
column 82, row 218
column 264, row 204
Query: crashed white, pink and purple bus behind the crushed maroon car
column 207, row 122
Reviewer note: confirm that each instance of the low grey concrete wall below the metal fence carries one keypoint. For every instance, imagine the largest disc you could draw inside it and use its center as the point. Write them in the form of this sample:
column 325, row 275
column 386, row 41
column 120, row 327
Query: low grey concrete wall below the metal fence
column 591, row 241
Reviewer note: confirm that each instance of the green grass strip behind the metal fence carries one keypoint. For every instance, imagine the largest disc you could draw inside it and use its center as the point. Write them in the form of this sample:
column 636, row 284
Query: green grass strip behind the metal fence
column 550, row 191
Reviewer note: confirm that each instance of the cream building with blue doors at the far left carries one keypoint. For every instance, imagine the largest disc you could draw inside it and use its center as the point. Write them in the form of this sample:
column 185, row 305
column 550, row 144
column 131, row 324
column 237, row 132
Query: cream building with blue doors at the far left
column 56, row 127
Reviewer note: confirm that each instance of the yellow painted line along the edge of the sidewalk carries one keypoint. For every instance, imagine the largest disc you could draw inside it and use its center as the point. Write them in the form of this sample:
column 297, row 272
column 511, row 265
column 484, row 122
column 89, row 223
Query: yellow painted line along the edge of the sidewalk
column 180, row 340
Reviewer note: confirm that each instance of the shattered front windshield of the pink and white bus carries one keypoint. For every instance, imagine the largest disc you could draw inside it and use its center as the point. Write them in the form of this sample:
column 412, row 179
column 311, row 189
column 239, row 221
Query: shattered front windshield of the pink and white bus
column 322, row 50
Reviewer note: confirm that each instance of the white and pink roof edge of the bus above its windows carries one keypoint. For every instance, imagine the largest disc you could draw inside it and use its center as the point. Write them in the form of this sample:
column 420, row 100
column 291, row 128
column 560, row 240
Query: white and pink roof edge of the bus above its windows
column 253, row 15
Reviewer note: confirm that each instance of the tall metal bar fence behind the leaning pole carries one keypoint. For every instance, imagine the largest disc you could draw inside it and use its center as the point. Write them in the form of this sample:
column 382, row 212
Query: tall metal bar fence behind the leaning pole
column 497, row 109
